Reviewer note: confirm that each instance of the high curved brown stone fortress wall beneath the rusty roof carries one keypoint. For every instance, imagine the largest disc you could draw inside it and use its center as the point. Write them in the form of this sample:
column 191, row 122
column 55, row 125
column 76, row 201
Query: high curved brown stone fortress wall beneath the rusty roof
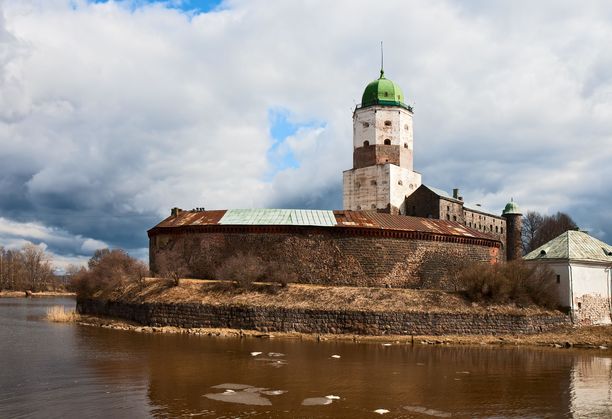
column 326, row 255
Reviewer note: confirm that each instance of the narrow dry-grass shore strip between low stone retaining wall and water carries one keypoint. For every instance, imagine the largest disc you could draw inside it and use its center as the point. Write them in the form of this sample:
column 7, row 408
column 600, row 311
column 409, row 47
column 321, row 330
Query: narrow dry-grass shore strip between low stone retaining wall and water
column 592, row 337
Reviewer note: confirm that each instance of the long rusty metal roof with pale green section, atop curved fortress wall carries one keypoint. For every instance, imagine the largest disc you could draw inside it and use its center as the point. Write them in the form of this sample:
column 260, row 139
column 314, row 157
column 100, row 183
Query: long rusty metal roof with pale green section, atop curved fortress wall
column 321, row 218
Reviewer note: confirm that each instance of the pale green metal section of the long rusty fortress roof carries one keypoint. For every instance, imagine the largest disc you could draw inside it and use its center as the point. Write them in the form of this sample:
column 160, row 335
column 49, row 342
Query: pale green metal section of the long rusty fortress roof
column 322, row 218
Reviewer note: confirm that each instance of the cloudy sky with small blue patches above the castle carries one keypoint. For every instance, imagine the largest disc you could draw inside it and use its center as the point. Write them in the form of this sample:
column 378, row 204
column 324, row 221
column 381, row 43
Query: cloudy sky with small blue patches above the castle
column 113, row 112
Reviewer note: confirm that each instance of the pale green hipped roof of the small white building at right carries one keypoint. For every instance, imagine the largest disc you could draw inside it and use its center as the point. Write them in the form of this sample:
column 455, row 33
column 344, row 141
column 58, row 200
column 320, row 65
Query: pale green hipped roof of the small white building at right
column 573, row 245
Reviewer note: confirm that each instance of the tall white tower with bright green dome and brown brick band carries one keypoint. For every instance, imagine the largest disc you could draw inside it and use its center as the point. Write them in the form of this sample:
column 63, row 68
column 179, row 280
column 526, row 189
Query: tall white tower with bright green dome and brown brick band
column 382, row 175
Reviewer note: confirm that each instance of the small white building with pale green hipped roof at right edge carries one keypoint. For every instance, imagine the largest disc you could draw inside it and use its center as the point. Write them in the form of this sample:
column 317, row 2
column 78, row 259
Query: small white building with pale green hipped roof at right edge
column 582, row 266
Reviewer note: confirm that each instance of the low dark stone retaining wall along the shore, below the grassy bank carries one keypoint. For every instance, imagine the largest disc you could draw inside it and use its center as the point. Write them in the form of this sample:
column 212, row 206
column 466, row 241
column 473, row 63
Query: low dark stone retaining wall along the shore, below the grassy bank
column 274, row 319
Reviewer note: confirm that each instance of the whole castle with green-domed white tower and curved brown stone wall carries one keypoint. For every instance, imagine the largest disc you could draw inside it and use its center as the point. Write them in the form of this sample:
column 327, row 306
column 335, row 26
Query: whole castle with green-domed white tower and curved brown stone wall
column 394, row 231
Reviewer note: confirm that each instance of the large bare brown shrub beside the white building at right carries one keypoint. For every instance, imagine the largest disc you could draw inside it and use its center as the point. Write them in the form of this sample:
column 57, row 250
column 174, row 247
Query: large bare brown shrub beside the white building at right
column 512, row 282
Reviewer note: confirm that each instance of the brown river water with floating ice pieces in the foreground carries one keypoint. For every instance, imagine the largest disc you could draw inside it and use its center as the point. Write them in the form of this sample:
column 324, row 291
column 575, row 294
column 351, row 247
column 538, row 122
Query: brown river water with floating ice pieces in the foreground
column 63, row 371
